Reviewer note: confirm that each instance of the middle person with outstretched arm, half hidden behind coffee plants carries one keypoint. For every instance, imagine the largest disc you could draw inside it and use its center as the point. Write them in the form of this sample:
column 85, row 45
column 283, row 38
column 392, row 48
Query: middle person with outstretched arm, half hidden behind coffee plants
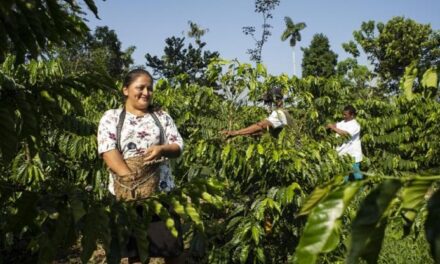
column 278, row 119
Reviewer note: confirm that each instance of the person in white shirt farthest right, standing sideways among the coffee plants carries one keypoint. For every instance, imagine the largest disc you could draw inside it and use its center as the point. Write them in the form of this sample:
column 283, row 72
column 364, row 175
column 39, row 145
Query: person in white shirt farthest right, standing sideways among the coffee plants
column 350, row 127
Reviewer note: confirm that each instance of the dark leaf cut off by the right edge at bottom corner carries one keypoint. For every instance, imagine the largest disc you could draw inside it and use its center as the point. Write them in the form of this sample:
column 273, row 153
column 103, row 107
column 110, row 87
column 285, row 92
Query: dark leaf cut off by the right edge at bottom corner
column 432, row 227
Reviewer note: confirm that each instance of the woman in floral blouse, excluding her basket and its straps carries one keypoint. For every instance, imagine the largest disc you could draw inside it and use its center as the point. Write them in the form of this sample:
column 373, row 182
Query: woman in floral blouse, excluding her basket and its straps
column 140, row 134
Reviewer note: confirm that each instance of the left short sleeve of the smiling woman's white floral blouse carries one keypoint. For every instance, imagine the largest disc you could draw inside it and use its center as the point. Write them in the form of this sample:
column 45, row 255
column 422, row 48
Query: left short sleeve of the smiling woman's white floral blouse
column 107, row 131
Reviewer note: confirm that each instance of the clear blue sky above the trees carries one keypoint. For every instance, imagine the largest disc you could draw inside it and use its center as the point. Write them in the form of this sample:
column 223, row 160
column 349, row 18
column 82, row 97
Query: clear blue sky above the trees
column 147, row 23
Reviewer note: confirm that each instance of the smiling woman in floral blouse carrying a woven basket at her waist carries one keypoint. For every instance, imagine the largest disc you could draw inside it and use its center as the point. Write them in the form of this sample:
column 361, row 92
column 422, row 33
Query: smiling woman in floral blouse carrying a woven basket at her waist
column 135, row 143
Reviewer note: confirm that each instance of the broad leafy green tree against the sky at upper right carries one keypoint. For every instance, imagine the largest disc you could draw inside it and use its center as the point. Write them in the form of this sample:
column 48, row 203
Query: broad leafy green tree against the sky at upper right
column 396, row 44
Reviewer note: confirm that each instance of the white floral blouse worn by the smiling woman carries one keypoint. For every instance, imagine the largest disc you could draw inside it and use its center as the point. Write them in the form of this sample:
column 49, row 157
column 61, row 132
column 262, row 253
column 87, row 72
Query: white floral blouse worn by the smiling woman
column 138, row 133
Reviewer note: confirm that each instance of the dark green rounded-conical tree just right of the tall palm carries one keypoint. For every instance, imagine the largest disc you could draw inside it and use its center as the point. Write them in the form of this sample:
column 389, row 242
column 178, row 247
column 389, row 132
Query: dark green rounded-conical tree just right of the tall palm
column 319, row 60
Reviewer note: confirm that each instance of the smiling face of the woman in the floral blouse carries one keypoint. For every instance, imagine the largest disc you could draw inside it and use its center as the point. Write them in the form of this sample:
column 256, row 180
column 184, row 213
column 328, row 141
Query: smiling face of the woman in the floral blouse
column 139, row 93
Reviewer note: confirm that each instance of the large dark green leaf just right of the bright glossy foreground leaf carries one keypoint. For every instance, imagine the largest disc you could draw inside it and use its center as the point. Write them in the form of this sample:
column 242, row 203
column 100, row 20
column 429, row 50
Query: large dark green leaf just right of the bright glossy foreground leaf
column 370, row 222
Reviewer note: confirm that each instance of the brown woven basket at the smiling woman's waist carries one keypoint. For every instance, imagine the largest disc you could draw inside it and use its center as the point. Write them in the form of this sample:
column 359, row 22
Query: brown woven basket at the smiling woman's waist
column 141, row 183
